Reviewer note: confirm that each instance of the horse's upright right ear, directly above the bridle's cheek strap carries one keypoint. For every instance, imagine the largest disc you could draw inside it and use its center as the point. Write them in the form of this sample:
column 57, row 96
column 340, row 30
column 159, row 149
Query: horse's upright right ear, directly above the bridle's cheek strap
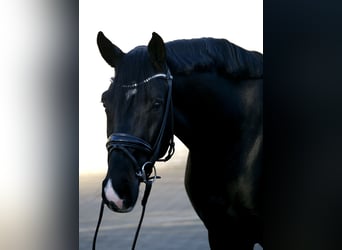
column 156, row 49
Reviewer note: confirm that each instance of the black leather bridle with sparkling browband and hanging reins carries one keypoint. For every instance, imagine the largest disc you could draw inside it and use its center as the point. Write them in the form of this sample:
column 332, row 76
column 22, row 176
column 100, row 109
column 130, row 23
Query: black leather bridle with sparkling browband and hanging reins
column 123, row 142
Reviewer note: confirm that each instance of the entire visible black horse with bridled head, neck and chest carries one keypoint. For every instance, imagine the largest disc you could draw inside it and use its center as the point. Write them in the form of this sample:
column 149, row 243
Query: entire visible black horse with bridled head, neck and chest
column 215, row 109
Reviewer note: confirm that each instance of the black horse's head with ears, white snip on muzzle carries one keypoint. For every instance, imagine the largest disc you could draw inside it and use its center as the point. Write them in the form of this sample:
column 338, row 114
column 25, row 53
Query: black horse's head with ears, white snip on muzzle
column 139, row 118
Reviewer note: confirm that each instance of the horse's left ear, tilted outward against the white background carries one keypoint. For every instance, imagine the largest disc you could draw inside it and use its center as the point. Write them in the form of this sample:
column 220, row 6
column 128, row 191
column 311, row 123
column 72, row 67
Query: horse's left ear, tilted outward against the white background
column 109, row 51
